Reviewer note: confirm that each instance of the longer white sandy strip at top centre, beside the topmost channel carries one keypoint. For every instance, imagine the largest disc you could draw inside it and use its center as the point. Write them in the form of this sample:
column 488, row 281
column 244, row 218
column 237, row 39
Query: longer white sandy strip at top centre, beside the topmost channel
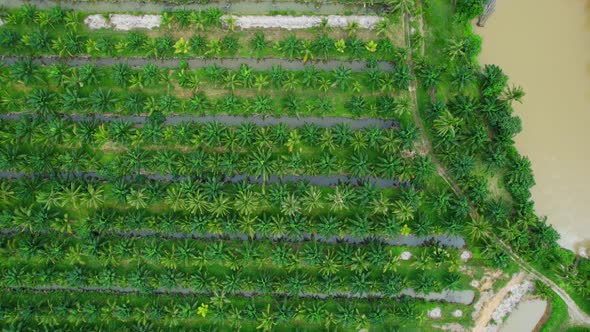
column 302, row 22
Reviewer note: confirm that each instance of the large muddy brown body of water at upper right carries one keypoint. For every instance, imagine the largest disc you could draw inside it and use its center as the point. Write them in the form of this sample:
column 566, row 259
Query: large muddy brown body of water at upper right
column 544, row 46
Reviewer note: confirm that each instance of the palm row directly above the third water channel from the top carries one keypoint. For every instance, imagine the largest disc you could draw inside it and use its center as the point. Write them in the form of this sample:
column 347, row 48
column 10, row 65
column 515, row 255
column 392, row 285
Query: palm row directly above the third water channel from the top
column 45, row 102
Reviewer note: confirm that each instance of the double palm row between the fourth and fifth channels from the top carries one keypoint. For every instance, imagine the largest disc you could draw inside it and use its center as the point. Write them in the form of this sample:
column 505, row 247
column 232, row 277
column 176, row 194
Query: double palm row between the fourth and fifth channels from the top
column 274, row 212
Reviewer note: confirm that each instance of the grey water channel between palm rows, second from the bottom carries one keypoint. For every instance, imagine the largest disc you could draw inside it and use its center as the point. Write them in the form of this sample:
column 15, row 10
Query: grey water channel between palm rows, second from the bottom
column 447, row 240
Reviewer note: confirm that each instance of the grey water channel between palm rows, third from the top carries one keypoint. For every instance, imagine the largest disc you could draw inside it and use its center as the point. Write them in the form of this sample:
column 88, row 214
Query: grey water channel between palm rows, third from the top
column 232, row 120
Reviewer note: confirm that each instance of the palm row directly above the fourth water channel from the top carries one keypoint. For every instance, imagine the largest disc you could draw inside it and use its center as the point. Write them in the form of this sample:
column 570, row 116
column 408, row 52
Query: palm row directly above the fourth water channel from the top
column 43, row 159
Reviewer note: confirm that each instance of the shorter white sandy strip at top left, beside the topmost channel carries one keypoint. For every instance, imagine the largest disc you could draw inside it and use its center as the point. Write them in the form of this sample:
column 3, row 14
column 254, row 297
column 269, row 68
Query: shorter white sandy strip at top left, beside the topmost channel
column 123, row 22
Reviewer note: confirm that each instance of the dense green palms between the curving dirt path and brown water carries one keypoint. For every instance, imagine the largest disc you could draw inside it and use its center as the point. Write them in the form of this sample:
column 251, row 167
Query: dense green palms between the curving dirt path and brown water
column 468, row 111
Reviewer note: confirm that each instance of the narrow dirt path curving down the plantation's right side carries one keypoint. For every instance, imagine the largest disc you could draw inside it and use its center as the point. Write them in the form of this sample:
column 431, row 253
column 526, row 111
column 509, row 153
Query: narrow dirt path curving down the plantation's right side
column 577, row 316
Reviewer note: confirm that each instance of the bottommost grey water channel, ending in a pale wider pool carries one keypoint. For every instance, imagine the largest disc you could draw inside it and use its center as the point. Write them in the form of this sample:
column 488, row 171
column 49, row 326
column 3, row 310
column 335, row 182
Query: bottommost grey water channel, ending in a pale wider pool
column 464, row 297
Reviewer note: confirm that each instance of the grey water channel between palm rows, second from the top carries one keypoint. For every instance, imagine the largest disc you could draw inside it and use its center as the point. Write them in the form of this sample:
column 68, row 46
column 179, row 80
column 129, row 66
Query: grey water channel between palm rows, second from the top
column 230, row 63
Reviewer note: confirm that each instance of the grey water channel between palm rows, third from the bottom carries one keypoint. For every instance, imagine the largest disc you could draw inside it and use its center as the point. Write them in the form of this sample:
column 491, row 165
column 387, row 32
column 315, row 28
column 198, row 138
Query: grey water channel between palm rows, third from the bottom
column 316, row 180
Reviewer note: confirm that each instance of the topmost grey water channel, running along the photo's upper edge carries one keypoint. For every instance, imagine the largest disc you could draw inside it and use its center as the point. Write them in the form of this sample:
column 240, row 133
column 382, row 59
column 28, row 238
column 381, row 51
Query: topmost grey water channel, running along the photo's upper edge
column 240, row 7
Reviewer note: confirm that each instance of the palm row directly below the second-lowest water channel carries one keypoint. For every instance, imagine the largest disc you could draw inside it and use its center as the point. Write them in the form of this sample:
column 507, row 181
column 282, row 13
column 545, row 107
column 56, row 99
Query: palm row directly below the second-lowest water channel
column 235, row 255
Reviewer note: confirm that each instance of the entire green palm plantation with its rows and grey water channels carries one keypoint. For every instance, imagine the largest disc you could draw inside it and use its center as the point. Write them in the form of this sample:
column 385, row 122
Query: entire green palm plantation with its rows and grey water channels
column 198, row 176
